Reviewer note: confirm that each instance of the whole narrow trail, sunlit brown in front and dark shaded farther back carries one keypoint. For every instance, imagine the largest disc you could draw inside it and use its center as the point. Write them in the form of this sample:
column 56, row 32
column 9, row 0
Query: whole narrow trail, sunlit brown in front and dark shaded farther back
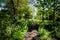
column 32, row 33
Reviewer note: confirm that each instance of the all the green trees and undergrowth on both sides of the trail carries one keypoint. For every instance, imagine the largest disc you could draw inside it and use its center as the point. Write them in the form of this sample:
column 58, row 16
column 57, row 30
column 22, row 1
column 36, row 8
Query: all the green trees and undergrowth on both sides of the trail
column 15, row 22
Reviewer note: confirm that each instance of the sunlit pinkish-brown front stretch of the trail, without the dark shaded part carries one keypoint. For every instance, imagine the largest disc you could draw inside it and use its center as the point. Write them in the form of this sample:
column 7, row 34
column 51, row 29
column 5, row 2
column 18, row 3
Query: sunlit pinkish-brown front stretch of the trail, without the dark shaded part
column 33, row 35
